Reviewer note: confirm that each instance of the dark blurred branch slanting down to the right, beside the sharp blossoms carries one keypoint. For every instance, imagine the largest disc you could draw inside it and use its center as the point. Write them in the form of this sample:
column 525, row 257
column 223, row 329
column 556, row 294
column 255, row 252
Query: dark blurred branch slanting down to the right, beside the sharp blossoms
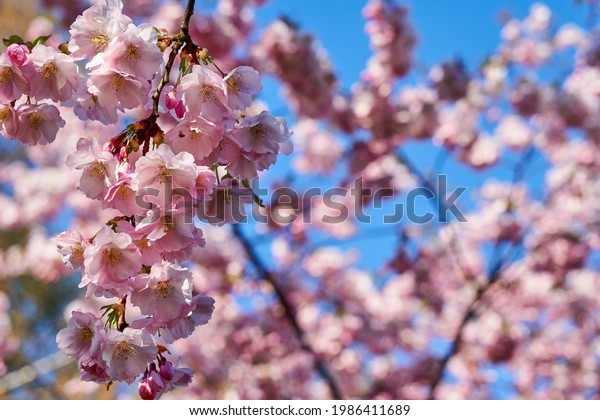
column 320, row 366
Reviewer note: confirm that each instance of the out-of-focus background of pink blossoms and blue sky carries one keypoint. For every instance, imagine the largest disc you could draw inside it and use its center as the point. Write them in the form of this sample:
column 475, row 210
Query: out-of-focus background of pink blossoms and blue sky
column 385, row 309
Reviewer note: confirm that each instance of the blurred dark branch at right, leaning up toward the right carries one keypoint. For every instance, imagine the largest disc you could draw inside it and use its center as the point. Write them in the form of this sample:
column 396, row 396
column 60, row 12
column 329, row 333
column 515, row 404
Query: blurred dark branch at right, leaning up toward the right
column 494, row 273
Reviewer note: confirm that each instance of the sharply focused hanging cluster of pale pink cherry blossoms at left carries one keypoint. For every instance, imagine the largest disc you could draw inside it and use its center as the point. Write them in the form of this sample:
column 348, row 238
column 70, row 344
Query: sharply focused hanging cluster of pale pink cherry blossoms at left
column 153, row 180
